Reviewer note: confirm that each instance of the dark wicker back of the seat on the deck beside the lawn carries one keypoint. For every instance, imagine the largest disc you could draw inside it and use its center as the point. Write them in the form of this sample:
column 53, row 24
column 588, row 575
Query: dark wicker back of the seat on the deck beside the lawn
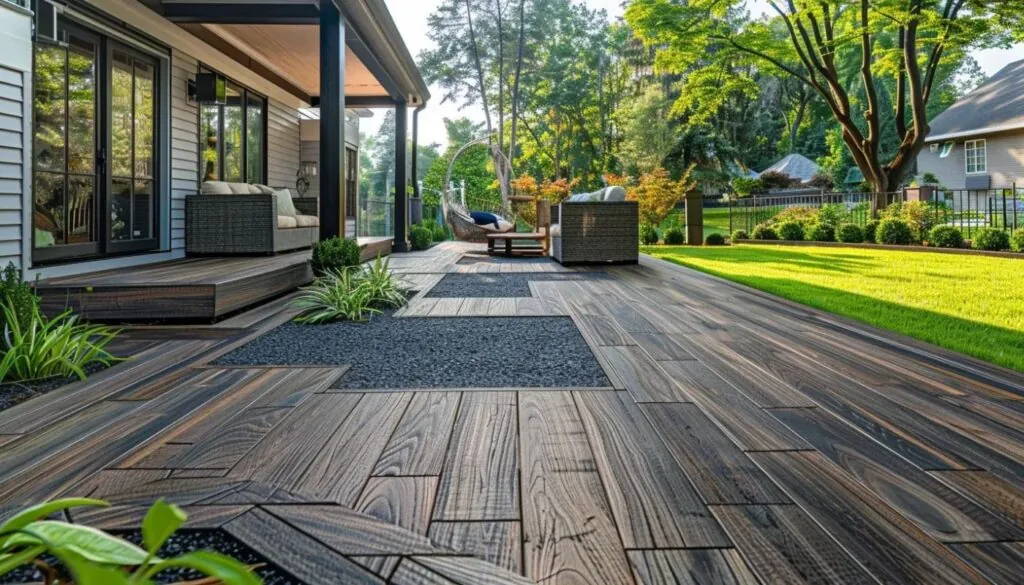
column 603, row 232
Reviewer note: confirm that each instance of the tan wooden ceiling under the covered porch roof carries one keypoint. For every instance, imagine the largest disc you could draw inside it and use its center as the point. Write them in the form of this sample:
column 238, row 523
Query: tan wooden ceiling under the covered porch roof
column 292, row 52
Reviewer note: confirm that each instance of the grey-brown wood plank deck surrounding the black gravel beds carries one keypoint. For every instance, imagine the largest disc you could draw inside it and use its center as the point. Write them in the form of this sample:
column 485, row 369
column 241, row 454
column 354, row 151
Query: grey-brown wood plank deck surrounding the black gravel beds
column 745, row 440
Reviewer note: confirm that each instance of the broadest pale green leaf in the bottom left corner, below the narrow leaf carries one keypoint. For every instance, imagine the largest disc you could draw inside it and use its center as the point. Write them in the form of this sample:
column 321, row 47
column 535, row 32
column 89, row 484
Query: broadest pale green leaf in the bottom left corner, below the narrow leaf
column 91, row 544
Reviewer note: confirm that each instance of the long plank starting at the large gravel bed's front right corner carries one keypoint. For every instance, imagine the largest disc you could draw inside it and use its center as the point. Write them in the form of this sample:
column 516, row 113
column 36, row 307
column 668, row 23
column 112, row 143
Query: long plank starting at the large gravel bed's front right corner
column 652, row 498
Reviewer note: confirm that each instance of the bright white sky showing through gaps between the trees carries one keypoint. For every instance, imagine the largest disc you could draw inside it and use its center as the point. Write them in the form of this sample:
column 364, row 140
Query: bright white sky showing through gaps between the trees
column 411, row 18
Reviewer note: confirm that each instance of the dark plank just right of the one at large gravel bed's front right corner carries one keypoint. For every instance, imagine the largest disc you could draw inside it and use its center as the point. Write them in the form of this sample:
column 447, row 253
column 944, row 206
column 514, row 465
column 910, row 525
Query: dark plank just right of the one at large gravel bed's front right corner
column 720, row 472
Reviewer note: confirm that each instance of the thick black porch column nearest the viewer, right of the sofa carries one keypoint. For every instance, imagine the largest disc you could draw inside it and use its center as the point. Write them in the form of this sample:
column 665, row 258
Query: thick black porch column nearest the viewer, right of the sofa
column 332, row 105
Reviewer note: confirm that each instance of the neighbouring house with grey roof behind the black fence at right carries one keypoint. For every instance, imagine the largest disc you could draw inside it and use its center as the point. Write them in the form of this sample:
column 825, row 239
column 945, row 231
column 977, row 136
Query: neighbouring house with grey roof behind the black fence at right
column 978, row 143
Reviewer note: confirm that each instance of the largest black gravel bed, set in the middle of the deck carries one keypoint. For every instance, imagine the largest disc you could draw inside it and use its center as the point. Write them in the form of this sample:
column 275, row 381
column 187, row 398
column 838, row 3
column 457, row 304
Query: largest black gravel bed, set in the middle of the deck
column 435, row 353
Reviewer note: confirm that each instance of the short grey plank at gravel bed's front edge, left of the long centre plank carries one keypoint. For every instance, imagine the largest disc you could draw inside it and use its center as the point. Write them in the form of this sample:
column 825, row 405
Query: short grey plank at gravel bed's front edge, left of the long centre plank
column 480, row 481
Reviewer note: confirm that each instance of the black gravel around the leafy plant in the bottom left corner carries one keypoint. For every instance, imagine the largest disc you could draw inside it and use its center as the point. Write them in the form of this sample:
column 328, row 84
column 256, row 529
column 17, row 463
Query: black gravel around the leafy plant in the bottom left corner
column 183, row 542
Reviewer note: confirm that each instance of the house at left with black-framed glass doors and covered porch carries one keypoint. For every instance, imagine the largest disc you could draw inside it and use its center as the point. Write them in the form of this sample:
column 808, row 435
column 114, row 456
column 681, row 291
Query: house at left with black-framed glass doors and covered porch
column 102, row 138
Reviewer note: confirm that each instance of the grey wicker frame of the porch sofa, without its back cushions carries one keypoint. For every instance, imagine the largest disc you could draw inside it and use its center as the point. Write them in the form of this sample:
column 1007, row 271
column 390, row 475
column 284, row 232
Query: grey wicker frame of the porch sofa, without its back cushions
column 242, row 225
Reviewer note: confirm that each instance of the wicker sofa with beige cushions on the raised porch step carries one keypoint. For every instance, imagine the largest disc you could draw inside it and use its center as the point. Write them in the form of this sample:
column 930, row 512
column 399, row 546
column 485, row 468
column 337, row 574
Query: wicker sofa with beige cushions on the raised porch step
column 242, row 219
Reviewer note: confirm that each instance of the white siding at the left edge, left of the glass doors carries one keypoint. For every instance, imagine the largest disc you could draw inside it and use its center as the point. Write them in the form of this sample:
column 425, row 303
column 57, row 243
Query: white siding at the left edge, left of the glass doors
column 16, row 70
